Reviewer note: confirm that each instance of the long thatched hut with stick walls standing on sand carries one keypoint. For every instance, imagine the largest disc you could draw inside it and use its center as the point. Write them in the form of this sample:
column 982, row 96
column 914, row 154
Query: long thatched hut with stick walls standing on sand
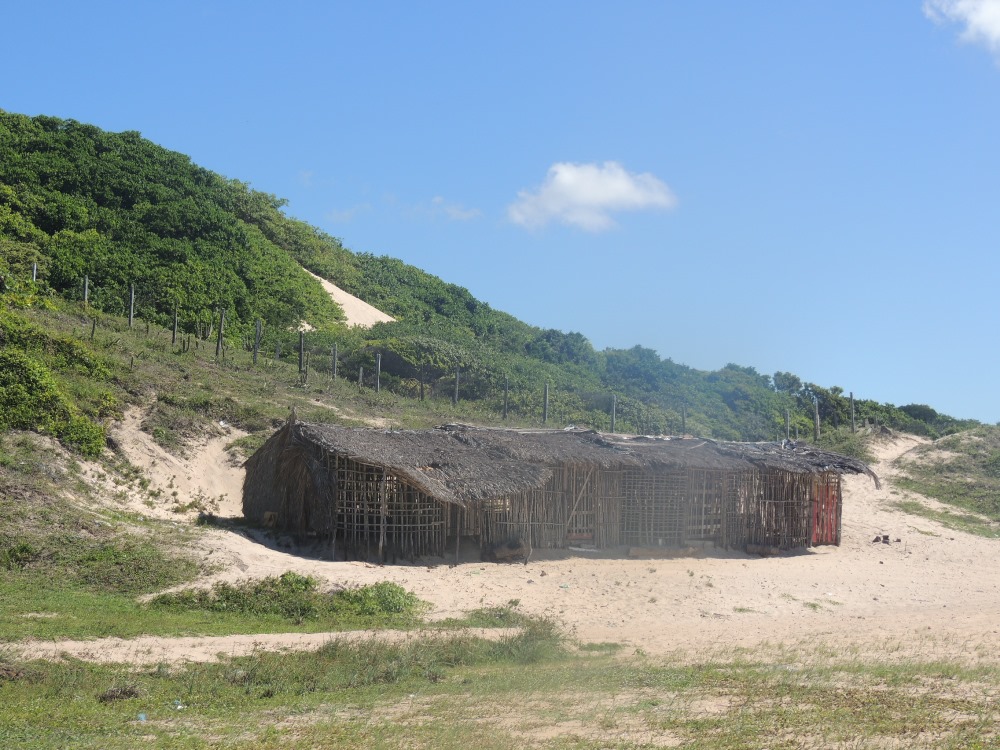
column 416, row 492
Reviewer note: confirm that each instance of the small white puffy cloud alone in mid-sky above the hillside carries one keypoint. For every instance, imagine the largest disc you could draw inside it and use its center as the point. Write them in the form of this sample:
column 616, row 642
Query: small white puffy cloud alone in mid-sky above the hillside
column 585, row 196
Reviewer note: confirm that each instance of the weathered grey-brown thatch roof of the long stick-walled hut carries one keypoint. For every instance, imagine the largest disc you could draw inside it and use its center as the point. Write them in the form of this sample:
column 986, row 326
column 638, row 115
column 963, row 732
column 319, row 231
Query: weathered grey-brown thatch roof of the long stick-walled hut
column 461, row 464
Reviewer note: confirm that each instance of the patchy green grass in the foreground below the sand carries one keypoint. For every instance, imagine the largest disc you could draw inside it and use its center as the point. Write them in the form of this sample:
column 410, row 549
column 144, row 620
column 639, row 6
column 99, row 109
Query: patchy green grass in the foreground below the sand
column 527, row 690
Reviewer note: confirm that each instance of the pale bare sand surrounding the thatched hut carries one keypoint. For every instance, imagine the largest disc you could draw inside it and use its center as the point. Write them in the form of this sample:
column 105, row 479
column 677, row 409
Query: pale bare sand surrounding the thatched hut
column 931, row 592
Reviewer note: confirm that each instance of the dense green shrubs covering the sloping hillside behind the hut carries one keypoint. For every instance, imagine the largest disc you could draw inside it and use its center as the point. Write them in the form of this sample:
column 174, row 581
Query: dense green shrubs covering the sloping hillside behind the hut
column 90, row 212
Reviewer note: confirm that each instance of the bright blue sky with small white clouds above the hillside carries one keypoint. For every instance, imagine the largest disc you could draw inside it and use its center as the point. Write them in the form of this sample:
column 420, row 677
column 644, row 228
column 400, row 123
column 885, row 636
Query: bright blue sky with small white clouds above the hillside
column 811, row 187
